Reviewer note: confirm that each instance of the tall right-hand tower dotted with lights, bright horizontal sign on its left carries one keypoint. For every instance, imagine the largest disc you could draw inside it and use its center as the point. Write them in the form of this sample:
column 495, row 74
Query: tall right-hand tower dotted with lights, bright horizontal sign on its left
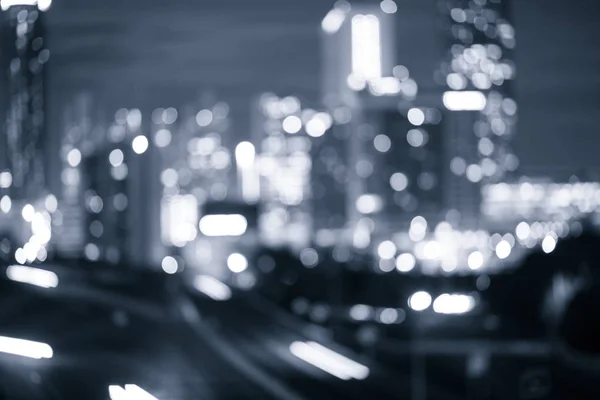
column 481, row 110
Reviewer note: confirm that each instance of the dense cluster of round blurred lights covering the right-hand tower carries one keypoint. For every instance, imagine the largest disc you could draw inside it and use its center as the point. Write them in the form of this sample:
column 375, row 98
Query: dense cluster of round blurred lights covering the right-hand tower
column 476, row 73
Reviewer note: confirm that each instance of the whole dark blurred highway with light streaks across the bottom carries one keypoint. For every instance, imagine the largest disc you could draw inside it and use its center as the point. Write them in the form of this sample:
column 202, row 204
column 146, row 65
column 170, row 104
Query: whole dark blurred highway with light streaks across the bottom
column 127, row 327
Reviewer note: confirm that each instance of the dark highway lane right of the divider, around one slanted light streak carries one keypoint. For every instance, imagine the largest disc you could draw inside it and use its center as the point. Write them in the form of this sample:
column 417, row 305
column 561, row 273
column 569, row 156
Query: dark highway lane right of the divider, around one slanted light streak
column 263, row 334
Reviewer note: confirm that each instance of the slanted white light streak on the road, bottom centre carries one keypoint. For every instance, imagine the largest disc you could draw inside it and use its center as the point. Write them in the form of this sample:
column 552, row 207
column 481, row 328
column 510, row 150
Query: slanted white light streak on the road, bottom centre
column 329, row 361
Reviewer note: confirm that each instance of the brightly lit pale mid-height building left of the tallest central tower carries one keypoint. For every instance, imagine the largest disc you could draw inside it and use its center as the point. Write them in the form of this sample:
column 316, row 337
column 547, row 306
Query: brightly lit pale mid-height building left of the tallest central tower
column 282, row 131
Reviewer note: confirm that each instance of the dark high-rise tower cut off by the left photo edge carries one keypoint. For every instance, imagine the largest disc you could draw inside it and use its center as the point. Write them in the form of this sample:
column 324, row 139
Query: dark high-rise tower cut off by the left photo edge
column 23, row 55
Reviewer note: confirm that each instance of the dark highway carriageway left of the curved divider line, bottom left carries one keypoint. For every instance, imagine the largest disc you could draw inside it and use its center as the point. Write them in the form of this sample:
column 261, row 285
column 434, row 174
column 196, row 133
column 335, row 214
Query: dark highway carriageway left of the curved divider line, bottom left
column 97, row 342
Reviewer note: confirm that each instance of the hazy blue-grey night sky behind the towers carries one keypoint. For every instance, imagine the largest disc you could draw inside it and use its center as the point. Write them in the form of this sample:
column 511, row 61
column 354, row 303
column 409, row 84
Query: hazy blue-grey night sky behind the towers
column 151, row 53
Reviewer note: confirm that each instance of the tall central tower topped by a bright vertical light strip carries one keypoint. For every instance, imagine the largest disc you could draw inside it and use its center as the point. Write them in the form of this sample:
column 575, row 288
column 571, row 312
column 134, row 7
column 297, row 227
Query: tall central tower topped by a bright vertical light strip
column 395, row 160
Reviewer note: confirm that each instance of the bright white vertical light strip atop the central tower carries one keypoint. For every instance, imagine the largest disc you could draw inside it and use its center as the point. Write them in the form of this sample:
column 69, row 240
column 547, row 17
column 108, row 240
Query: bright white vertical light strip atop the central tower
column 366, row 47
